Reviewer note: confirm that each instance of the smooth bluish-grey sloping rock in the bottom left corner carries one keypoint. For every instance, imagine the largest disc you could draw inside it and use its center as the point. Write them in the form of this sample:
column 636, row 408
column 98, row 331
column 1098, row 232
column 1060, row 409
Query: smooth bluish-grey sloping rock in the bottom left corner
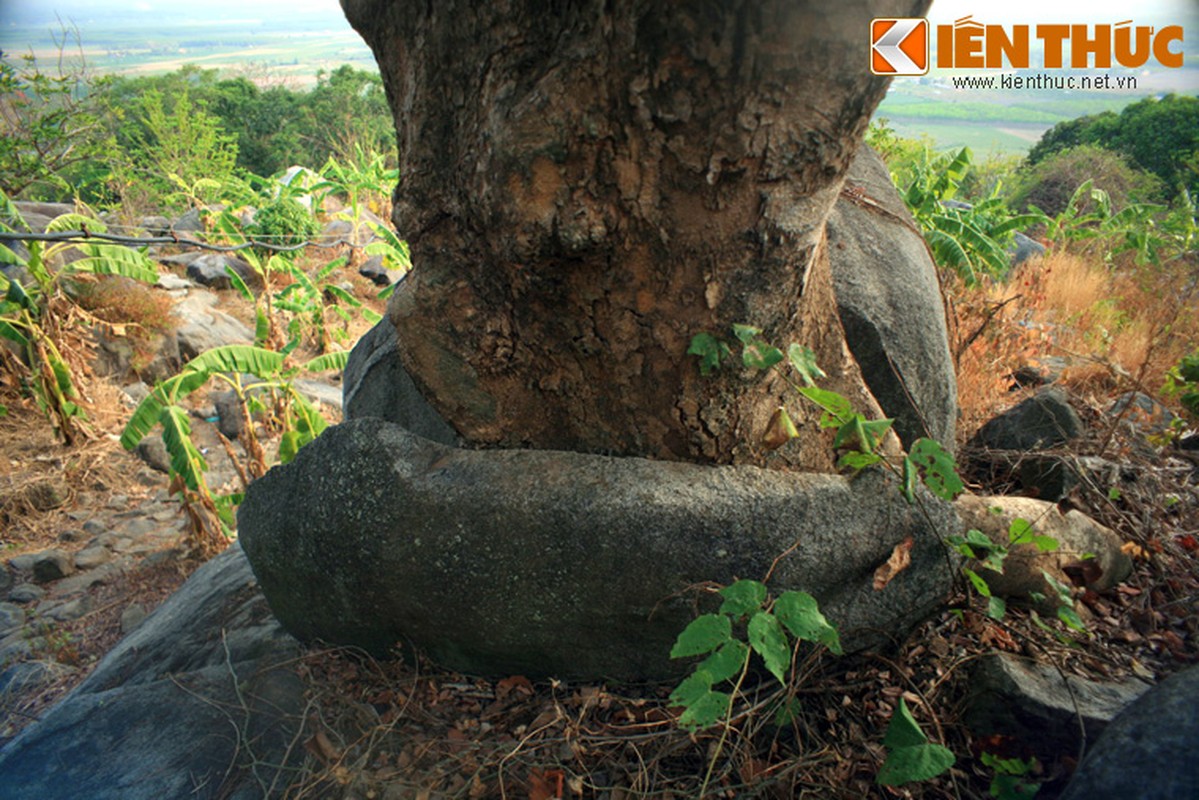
column 198, row 702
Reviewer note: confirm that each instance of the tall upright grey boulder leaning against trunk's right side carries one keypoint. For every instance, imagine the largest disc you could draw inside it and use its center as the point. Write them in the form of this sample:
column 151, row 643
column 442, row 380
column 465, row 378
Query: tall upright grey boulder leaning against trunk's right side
column 890, row 304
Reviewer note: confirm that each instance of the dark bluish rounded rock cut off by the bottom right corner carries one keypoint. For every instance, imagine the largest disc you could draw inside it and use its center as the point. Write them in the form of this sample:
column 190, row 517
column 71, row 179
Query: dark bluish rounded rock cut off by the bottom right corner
column 1149, row 751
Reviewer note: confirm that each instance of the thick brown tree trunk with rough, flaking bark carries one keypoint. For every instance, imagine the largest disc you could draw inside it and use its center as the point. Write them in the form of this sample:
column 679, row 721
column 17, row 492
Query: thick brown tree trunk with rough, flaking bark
column 588, row 185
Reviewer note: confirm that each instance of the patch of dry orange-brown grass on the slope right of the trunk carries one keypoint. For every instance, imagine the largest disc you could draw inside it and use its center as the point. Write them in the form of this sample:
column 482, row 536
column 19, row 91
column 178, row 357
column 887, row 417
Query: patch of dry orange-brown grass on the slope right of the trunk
column 1114, row 329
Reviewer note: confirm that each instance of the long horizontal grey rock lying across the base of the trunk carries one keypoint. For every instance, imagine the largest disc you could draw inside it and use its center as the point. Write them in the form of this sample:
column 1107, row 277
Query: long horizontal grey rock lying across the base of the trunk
column 545, row 563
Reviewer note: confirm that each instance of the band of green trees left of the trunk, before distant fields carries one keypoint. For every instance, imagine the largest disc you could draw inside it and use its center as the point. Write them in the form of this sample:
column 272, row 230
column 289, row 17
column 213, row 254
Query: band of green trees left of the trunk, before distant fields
column 166, row 142
